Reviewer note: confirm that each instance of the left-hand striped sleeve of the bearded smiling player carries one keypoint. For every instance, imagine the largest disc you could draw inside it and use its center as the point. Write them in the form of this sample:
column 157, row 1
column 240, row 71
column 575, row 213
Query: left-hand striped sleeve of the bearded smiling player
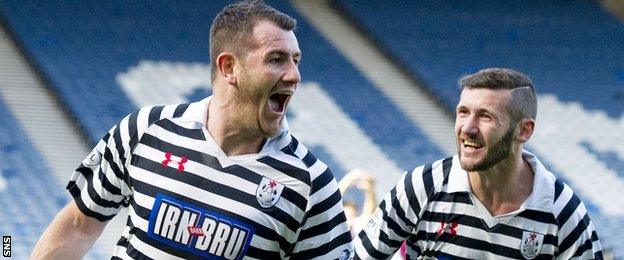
column 394, row 220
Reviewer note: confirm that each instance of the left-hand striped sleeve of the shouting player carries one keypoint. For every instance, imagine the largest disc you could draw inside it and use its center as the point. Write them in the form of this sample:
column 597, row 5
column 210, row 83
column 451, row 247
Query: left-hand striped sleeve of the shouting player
column 101, row 185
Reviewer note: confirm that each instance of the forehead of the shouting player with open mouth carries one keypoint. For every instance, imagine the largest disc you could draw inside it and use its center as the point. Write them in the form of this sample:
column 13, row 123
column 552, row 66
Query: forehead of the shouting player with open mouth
column 268, row 37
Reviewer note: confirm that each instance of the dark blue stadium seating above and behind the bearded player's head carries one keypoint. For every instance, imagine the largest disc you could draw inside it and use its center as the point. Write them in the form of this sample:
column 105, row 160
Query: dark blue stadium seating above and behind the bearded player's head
column 570, row 48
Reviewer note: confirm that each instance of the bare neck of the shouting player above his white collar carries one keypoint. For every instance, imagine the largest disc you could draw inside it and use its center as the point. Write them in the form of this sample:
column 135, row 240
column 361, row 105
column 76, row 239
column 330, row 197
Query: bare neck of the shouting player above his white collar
column 224, row 124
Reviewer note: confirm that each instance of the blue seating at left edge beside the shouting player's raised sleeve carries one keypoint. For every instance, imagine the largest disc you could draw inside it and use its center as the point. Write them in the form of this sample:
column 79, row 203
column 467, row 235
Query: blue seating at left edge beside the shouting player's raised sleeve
column 30, row 195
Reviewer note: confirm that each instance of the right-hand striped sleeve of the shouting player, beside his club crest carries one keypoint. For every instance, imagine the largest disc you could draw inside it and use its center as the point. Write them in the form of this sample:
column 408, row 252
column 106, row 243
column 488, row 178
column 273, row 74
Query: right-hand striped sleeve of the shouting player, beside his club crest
column 324, row 233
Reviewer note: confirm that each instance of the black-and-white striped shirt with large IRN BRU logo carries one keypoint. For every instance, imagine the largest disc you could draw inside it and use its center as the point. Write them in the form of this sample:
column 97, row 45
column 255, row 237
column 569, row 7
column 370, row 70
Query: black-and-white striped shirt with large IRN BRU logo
column 188, row 200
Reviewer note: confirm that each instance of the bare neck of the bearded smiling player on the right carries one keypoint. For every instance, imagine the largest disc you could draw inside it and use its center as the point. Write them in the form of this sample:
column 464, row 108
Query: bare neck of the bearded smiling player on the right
column 505, row 186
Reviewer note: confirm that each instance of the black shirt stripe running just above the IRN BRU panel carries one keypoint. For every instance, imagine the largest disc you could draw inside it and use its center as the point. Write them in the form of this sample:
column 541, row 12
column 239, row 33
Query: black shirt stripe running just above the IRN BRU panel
column 214, row 188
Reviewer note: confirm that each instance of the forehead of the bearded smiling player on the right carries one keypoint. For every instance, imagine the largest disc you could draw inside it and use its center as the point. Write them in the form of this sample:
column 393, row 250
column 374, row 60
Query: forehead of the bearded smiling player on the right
column 483, row 98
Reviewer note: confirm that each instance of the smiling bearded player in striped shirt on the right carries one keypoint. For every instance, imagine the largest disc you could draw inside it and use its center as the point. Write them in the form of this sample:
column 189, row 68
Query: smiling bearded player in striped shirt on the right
column 493, row 200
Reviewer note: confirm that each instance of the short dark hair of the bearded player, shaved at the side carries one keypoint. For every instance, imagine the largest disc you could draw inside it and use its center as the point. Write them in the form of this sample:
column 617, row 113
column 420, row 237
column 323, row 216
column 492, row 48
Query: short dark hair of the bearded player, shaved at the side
column 523, row 103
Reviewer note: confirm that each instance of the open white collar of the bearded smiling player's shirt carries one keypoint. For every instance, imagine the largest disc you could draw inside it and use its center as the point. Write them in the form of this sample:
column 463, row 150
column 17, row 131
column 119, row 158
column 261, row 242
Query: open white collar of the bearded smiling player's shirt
column 542, row 196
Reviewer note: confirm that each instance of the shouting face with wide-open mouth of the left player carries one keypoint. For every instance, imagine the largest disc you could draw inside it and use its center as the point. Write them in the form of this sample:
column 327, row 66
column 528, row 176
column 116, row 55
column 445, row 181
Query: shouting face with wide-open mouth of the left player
column 268, row 77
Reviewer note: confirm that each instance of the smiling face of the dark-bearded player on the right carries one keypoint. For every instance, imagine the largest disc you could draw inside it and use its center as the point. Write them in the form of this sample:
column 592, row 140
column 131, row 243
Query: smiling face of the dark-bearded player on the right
column 482, row 127
